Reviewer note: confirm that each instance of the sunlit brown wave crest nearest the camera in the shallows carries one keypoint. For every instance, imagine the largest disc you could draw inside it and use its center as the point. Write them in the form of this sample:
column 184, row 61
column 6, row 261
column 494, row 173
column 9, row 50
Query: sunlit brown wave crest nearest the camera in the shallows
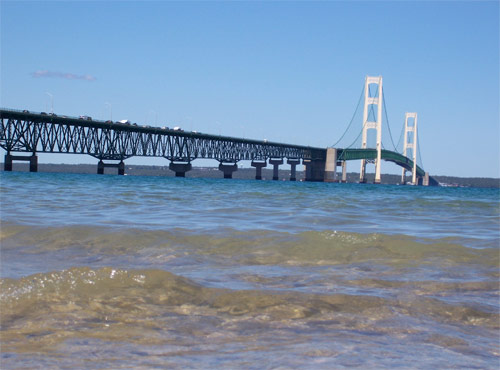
column 110, row 291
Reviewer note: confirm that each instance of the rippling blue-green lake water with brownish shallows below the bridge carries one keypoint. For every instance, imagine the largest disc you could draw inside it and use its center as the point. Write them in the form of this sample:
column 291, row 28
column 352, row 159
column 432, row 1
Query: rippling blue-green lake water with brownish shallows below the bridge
column 150, row 272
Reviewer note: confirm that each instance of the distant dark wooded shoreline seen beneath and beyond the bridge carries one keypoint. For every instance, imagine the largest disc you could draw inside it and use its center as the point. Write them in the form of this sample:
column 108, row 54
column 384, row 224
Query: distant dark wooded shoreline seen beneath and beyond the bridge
column 246, row 173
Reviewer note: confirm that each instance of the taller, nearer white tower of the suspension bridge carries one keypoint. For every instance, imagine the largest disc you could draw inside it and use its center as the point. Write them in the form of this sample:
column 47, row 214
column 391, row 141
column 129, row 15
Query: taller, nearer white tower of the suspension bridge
column 369, row 125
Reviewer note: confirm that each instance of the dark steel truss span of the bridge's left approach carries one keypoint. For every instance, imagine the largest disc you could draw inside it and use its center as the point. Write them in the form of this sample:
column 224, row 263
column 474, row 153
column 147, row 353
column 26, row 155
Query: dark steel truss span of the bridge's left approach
column 45, row 133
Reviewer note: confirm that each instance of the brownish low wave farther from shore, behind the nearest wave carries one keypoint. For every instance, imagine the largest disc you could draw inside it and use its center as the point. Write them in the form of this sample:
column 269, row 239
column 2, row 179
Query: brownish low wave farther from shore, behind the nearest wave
column 255, row 247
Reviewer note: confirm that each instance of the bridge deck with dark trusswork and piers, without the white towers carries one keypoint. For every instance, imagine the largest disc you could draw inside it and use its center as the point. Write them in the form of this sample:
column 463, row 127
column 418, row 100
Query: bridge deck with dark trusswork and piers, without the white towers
column 27, row 132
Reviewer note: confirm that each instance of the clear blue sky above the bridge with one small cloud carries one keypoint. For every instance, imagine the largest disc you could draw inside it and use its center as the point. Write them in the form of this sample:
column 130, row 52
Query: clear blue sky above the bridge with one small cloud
column 285, row 71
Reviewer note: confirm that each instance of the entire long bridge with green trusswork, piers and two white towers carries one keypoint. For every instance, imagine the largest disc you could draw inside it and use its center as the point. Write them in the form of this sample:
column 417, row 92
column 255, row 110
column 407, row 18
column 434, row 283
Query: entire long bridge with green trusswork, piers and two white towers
column 23, row 134
